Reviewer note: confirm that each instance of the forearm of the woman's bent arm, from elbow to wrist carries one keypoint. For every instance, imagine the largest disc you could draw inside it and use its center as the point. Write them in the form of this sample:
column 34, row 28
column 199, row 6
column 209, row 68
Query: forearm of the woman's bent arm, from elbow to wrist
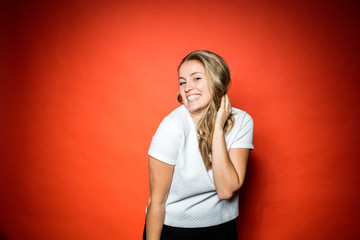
column 226, row 178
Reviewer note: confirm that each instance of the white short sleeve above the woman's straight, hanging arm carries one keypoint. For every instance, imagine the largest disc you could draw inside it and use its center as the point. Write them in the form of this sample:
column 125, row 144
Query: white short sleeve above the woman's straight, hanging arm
column 166, row 142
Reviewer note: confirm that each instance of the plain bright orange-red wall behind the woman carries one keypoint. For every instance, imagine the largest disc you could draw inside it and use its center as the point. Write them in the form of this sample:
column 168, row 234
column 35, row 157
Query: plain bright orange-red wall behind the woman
column 84, row 85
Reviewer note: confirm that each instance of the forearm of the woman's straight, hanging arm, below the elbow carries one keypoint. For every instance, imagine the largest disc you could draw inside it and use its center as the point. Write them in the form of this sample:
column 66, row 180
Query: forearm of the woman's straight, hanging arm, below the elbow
column 154, row 220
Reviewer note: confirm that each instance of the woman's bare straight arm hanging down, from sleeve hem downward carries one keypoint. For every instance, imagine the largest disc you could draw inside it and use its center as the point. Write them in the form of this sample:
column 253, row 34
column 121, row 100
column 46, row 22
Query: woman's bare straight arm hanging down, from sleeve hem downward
column 160, row 181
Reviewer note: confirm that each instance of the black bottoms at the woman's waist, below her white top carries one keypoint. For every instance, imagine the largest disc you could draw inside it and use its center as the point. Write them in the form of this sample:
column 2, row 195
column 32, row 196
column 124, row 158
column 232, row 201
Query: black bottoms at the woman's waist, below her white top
column 224, row 231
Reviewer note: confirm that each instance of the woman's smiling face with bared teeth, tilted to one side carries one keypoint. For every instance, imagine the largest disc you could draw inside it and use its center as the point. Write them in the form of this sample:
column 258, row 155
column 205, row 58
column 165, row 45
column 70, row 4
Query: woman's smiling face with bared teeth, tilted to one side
column 194, row 89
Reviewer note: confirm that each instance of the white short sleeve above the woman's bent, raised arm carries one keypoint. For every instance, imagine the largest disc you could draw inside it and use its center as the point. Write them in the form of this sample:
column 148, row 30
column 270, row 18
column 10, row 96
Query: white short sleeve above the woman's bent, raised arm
column 244, row 137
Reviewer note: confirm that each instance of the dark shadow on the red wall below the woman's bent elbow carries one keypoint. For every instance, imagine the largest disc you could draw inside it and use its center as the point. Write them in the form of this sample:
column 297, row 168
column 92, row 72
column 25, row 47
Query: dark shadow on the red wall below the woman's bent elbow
column 254, row 180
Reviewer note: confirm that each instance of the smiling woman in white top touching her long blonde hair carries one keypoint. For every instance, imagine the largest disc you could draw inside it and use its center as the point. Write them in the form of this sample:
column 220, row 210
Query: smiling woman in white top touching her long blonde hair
column 198, row 157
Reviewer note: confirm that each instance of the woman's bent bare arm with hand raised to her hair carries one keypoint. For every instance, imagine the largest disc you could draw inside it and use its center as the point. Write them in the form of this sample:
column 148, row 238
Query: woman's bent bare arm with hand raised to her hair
column 228, row 167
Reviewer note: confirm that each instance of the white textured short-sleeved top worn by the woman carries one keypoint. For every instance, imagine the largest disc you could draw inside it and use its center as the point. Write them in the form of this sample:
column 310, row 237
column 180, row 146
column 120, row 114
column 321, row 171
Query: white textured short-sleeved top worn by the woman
column 192, row 200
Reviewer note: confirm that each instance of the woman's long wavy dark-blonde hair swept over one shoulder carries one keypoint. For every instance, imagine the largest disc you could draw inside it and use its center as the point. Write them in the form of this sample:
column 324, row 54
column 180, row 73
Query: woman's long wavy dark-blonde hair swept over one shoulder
column 218, row 78
